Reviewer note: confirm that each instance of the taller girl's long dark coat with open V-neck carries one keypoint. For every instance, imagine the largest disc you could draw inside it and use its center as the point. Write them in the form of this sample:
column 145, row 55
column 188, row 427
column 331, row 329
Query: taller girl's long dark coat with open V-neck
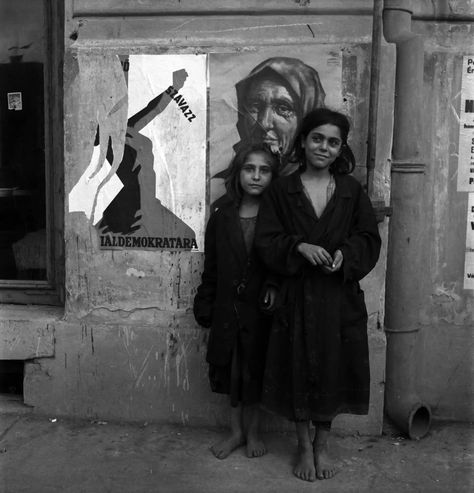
column 317, row 360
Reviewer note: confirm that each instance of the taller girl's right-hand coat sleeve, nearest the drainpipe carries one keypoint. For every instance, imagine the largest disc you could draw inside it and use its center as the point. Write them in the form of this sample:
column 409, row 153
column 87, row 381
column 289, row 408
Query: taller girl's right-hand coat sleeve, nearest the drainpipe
column 361, row 248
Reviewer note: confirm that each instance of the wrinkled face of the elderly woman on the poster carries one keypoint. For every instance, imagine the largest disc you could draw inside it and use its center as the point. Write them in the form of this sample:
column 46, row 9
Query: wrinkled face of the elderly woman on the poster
column 271, row 115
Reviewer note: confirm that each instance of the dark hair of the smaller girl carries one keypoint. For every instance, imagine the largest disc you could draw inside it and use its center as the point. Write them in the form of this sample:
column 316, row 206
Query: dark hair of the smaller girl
column 232, row 180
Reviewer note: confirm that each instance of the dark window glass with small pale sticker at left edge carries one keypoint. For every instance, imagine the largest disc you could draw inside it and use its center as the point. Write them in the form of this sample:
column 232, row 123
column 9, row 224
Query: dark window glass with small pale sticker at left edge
column 23, row 252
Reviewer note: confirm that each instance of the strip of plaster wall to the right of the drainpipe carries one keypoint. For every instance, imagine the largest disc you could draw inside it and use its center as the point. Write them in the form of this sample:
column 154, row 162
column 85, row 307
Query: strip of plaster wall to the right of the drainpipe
column 447, row 312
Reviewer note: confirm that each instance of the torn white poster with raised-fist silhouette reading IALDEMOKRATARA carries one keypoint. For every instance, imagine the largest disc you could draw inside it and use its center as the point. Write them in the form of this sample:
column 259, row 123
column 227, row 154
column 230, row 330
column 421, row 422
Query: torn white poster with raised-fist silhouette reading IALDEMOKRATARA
column 155, row 198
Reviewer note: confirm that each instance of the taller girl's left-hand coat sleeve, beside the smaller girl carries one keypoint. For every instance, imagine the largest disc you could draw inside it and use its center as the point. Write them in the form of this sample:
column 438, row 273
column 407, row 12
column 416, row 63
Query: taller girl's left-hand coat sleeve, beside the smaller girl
column 274, row 242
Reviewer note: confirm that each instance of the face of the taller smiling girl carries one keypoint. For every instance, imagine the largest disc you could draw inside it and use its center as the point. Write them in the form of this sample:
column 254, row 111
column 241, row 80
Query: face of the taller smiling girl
column 322, row 146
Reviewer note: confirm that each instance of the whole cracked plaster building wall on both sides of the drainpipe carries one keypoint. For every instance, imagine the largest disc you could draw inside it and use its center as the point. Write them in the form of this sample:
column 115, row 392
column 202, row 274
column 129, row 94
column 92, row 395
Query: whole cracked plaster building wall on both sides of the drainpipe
column 126, row 346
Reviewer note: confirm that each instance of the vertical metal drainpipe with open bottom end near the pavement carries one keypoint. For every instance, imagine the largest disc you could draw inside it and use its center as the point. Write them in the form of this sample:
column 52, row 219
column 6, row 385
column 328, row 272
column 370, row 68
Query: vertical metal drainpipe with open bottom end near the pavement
column 406, row 240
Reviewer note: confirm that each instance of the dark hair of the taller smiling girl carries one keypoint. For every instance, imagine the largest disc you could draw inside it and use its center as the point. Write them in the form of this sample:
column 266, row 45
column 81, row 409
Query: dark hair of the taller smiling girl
column 345, row 163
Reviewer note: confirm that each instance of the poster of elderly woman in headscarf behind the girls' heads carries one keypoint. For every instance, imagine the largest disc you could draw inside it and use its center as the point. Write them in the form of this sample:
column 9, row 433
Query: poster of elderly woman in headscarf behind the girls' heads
column 262, row 97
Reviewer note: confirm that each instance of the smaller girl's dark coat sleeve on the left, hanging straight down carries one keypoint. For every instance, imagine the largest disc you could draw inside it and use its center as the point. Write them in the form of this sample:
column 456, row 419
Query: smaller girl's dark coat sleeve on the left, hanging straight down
column 206, row 292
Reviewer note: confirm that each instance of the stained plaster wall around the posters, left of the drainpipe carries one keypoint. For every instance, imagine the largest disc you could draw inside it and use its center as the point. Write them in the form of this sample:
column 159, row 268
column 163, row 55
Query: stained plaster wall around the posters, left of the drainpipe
column 127, row 346
